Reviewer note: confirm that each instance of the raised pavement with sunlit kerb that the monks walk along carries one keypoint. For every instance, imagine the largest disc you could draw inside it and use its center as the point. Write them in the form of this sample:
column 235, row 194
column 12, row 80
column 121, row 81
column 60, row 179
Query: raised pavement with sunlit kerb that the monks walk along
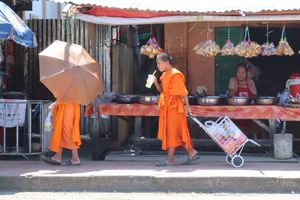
column 130, row 173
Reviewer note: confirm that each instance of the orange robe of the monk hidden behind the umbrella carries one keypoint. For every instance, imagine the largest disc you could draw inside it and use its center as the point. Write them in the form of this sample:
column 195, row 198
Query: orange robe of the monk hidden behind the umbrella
column 66, row 130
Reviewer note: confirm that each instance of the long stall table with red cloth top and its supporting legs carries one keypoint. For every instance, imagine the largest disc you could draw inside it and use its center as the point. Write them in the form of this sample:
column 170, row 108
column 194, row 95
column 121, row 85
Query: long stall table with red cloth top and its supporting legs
column 273, row 114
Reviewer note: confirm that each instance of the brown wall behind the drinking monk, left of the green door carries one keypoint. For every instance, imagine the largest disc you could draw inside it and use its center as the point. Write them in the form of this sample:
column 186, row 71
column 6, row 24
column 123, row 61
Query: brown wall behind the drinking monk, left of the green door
column 180, row 40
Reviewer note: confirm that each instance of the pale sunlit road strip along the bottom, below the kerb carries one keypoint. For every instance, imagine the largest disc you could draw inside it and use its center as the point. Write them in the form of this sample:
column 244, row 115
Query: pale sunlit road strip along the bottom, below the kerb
column 140, row 196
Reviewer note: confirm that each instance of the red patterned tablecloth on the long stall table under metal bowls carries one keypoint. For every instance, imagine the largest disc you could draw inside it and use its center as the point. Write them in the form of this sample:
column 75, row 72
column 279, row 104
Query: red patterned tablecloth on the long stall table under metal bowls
column 233, row 112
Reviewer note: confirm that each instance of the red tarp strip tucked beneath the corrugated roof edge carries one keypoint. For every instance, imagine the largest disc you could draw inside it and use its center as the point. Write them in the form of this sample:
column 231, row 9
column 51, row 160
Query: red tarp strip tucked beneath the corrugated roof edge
column 114, row 12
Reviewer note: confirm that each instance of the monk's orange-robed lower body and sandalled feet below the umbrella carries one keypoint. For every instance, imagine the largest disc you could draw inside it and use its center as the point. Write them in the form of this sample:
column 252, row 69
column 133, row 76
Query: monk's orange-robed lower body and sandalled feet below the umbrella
column 66, row 133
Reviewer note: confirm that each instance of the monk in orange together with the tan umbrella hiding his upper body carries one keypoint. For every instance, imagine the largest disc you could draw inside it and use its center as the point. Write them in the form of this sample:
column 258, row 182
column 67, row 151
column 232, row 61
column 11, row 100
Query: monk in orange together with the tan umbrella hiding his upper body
column 74, row 78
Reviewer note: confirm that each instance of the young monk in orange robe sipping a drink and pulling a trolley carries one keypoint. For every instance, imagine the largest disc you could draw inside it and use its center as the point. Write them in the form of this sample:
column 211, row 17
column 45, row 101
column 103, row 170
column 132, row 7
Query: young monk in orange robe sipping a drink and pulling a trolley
column 173, row 127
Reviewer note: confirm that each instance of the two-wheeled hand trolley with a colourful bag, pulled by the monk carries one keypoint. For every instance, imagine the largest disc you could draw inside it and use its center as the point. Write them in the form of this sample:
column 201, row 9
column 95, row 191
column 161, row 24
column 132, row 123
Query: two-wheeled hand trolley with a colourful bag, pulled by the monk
column 228, row 137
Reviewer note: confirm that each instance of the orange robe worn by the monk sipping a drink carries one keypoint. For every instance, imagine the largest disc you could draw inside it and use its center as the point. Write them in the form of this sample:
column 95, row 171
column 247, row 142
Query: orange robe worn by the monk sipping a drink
column 173, row 128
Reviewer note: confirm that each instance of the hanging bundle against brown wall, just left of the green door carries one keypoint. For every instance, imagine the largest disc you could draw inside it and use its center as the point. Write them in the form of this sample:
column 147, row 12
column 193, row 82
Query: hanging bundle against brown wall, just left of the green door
column 207, row 48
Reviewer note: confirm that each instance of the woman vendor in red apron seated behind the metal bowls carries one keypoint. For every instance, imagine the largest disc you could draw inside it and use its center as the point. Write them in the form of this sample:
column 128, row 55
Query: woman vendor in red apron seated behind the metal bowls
column 242, row 85
